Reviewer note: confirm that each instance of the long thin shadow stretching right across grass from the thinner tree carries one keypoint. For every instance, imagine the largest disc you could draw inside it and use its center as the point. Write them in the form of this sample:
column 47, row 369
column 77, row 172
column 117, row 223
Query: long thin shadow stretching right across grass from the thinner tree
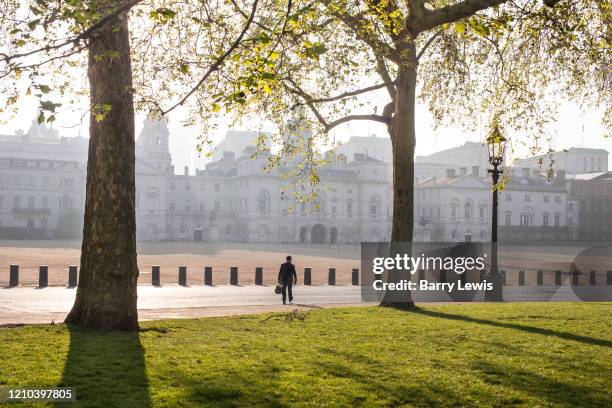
column 514, row 326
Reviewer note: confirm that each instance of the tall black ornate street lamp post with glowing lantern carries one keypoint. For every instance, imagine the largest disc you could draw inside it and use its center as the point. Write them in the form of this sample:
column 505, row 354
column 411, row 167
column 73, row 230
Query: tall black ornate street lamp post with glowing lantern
column 496, row 143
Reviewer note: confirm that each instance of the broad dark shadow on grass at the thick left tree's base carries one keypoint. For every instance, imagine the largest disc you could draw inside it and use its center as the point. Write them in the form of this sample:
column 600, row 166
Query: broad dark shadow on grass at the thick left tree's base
column 107, row 369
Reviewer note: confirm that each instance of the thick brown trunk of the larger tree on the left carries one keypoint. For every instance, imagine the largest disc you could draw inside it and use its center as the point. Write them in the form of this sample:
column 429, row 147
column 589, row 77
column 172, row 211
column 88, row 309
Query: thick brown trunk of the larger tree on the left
column 106, row 294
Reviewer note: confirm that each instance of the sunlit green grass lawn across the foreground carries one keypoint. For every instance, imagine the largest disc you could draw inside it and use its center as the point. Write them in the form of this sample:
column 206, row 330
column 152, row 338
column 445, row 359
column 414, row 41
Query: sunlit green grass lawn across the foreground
column 529, row 354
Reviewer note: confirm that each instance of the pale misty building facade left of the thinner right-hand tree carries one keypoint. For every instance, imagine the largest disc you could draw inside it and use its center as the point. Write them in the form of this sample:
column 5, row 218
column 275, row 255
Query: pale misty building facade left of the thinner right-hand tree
column 42, row 189
